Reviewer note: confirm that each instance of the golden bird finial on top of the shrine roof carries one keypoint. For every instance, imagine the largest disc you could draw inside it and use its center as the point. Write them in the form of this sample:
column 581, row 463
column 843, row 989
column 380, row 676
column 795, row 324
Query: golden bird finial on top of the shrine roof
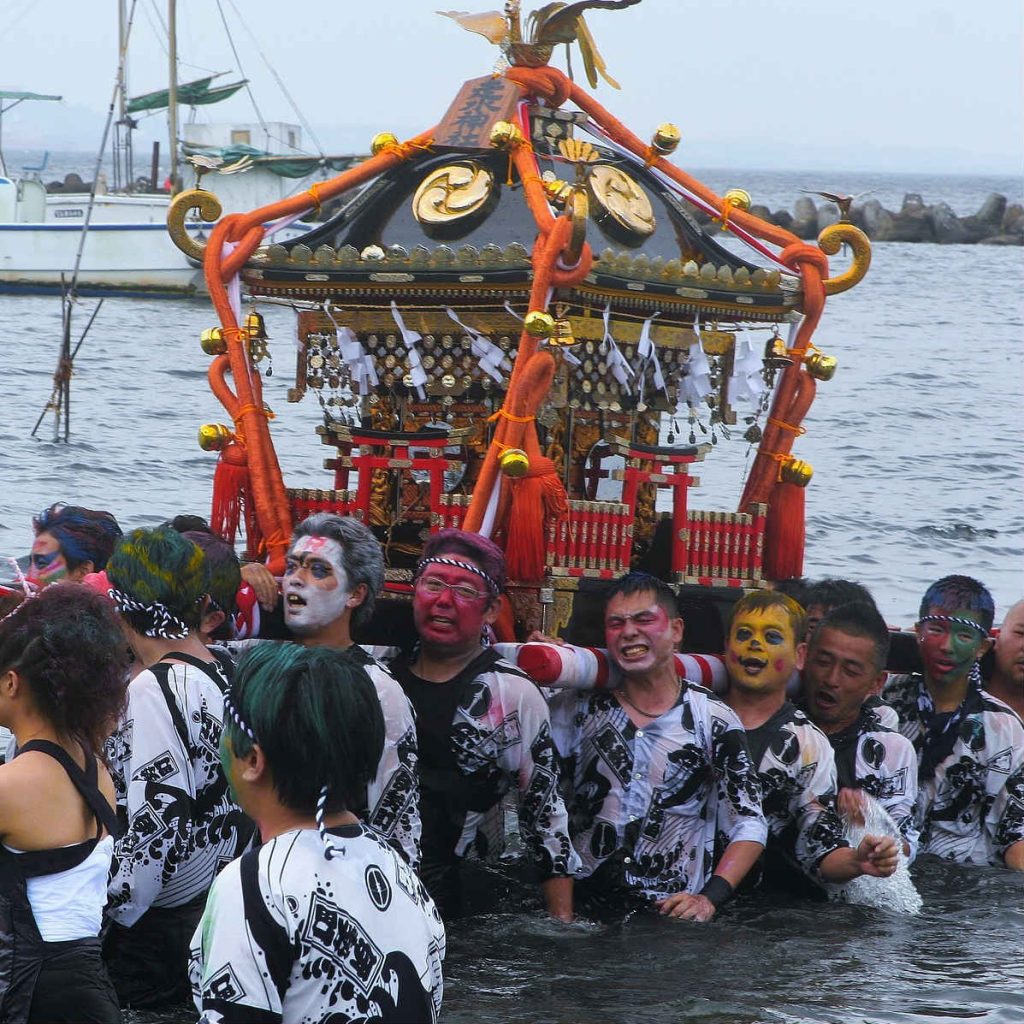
column 548, row 26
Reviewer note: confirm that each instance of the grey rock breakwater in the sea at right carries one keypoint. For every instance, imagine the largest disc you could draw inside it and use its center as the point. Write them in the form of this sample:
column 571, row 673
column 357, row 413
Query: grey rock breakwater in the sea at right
column 998, row 223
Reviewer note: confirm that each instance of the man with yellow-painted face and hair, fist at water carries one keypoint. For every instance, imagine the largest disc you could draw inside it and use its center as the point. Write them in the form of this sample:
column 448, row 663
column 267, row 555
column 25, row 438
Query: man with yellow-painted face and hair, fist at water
column 795, row 761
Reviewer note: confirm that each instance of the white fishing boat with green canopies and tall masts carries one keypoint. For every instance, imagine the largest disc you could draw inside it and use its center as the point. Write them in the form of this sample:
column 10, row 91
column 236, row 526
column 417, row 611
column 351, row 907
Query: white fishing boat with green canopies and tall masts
column 114, row 240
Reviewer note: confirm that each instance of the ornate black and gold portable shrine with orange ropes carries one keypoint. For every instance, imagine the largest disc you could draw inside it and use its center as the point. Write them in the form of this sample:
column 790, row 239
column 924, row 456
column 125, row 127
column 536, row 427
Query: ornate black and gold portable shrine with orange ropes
column 519, row 324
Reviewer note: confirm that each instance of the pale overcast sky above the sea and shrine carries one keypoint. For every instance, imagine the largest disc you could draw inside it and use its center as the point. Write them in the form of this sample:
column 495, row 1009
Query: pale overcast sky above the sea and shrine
column 889, row 86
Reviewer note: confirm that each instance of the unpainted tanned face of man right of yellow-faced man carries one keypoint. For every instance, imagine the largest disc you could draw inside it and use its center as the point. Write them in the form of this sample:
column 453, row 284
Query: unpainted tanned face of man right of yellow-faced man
column 838, row 677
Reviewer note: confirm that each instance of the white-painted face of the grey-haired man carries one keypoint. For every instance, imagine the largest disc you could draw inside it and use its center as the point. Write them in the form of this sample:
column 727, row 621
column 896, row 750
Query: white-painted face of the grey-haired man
column 316, row 586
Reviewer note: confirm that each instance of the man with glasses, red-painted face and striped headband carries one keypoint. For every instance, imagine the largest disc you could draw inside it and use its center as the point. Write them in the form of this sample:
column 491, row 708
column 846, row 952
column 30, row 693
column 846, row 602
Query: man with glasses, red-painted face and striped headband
column 484, row 730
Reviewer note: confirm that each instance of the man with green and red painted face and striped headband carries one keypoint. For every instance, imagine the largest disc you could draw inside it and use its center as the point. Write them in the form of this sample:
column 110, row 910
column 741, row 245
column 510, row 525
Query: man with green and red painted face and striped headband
column 970, row 745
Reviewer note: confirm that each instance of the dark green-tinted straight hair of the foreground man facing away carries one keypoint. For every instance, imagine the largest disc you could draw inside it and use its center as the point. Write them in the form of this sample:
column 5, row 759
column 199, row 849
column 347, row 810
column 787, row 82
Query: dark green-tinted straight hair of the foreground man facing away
column 316, row 715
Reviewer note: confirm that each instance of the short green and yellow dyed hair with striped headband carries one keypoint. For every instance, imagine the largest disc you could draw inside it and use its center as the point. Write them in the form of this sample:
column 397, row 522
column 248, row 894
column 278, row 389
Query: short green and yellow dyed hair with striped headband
column 156, row 574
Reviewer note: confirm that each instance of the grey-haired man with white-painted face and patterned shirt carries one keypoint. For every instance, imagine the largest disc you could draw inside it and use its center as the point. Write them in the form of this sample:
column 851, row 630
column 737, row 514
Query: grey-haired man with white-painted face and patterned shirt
column 333, row 574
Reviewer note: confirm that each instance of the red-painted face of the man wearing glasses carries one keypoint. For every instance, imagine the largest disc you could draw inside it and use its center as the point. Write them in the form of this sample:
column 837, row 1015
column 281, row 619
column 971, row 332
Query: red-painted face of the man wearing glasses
column 446, row 622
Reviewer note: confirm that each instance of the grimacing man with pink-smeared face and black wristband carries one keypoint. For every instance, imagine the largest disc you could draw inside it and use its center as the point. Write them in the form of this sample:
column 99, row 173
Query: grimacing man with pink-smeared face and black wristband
column 659, row 771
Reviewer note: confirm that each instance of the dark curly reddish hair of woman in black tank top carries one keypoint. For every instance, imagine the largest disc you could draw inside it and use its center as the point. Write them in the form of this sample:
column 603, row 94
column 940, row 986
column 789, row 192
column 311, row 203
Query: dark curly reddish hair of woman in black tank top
column 67, row 646
